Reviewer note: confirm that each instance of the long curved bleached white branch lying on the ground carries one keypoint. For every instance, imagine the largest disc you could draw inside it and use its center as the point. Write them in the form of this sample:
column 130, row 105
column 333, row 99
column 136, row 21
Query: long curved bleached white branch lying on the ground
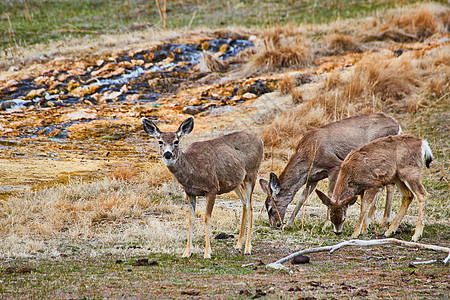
column 278, row 263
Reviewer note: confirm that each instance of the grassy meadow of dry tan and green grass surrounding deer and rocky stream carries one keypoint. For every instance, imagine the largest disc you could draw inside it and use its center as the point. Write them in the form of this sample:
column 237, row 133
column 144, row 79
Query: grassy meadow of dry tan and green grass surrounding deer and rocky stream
column 120, row 232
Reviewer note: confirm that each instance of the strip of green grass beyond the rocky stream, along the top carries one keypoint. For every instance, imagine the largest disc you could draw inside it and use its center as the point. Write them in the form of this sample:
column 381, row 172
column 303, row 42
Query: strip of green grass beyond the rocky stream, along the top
column 24, row 23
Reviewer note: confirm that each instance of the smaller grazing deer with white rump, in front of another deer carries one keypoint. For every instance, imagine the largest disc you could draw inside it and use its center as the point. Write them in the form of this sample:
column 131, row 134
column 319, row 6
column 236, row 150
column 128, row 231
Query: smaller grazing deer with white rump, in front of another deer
column 393, row 159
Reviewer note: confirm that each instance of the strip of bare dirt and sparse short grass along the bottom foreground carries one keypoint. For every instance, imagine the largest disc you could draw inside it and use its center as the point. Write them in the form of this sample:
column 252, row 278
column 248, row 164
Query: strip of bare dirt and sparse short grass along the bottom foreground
column 381, row 272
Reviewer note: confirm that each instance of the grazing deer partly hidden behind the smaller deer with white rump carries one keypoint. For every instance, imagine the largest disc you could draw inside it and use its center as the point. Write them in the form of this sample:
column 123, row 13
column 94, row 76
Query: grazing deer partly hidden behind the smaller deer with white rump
column 319, row 155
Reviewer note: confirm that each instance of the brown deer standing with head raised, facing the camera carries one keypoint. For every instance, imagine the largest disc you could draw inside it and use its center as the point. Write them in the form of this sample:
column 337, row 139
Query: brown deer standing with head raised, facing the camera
column 211, row 168
